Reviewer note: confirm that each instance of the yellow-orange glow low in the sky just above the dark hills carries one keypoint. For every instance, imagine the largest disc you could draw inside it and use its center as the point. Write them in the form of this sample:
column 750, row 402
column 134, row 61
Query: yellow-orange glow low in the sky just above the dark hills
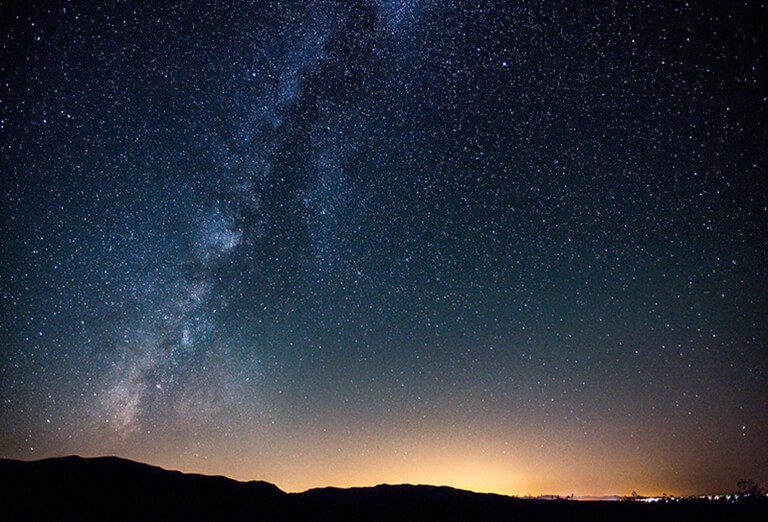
column 505, row 463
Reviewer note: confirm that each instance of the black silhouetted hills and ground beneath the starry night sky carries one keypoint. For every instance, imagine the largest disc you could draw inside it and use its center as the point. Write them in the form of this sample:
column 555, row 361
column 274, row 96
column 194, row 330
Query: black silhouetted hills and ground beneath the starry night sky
column 109, row 488
